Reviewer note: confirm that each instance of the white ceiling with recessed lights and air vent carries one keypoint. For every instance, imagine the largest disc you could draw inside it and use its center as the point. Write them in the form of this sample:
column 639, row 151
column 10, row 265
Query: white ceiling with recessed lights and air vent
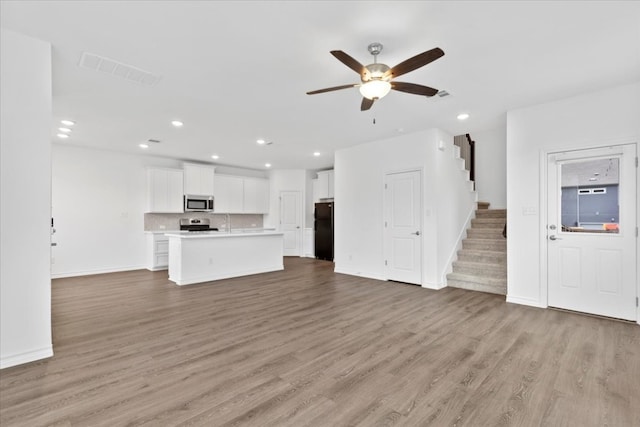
column 237, row 71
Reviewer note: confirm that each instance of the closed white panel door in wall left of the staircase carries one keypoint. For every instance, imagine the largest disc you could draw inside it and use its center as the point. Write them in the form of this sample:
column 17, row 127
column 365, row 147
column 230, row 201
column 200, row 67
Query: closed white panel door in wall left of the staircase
column 403, row 227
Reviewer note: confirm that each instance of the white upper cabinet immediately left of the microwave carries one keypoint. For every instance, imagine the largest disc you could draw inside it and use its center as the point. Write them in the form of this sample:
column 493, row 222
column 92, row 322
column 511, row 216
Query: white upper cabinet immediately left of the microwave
column 164, row 190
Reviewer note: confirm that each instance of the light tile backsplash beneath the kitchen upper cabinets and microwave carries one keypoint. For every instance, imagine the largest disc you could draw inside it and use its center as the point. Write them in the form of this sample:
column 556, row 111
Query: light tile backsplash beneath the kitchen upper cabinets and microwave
column 159, row 221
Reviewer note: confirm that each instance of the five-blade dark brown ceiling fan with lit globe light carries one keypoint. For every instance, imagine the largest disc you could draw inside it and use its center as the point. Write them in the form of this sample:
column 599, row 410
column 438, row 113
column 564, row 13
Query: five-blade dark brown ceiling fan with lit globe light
column 377, row 79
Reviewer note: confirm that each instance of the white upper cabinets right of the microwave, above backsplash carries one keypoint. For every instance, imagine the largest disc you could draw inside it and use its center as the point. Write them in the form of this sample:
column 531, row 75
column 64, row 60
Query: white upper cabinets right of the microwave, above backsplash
column 237, row 194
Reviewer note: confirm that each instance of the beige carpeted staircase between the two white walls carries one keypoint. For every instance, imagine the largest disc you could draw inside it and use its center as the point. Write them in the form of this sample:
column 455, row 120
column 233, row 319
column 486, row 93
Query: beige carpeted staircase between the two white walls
column 482, row 261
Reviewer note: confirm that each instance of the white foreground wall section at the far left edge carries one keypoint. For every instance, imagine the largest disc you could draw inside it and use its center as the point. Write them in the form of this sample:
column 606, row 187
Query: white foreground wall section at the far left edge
column 25, row 155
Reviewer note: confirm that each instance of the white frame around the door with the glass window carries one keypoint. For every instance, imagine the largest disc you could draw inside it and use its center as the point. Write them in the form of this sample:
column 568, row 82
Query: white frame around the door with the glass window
column 542, row 237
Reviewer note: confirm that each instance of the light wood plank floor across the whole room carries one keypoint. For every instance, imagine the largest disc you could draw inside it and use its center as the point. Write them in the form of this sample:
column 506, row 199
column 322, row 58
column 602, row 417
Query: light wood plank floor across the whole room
column 308, row 347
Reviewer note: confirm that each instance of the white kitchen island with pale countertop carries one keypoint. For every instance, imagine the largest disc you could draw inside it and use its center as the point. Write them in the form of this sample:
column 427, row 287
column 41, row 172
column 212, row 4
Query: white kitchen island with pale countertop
column 196, row 257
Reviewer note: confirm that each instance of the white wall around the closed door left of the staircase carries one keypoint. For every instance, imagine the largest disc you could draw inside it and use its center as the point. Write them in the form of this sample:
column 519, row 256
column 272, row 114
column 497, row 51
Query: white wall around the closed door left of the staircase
column 359, row 179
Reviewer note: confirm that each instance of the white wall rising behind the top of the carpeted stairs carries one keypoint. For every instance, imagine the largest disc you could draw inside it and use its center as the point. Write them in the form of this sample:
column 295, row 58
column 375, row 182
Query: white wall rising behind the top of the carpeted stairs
column 491, row 166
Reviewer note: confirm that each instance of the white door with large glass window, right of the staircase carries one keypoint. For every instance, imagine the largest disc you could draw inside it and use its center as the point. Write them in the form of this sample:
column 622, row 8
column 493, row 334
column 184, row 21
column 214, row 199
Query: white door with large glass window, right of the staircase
column 592, row 231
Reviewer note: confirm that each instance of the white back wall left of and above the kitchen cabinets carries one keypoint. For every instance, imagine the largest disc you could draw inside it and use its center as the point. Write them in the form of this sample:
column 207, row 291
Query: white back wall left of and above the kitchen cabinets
column 99, row 200
